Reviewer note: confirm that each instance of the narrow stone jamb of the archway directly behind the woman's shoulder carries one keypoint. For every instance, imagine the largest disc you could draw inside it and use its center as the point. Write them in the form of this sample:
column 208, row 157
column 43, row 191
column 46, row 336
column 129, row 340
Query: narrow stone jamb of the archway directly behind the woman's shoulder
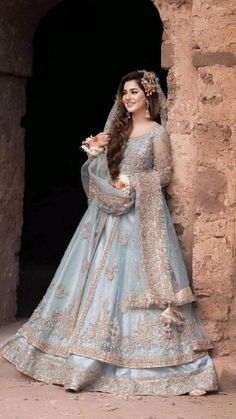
column 182, row 104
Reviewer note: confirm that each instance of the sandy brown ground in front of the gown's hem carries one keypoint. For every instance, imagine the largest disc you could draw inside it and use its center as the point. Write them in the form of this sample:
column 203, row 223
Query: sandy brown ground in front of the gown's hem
column 24, row 398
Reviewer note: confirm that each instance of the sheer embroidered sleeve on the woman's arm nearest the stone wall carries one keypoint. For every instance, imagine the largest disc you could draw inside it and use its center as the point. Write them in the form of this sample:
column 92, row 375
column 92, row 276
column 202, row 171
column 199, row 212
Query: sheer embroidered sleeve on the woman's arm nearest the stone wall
column 162, row 157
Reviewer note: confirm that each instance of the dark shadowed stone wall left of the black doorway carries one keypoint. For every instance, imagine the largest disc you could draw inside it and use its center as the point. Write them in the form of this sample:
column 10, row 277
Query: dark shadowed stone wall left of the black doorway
column 18, row 20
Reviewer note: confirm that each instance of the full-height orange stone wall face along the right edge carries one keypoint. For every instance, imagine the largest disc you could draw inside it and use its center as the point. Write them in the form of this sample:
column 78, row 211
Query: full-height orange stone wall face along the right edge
column 214, row 35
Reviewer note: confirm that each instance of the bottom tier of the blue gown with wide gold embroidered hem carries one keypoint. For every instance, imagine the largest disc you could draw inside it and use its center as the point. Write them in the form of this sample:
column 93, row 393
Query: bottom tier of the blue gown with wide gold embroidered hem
column 78, row 373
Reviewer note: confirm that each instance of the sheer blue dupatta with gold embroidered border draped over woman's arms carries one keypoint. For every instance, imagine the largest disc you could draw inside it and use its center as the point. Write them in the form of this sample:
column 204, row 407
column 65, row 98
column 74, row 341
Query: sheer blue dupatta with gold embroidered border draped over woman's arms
column 165, row 287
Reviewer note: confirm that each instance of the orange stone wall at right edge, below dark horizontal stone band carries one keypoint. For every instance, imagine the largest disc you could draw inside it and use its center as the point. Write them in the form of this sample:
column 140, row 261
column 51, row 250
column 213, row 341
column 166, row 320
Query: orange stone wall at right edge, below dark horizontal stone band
column 214, row 225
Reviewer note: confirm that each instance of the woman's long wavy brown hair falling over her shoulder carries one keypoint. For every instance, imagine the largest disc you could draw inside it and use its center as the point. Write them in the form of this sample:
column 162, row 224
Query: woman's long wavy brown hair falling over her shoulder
column 121, row 126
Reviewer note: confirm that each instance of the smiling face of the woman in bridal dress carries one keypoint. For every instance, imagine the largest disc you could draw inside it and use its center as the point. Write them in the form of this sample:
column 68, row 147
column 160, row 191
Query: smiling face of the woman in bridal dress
column 133, row 97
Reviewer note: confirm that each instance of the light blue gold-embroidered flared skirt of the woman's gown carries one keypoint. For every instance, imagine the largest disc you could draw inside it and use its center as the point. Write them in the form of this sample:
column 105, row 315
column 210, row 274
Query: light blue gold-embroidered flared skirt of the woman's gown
column 81, row 337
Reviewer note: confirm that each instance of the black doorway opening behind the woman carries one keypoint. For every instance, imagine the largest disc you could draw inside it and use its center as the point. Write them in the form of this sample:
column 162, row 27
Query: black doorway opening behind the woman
column 81, row 50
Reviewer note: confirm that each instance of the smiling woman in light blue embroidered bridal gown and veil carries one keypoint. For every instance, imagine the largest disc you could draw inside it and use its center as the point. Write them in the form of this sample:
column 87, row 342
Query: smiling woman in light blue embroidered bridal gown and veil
column 117, row 316
